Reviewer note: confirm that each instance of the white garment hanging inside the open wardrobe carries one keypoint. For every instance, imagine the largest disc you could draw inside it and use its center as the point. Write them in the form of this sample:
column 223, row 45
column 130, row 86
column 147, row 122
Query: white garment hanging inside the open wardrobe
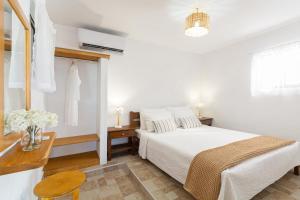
column 72, row 96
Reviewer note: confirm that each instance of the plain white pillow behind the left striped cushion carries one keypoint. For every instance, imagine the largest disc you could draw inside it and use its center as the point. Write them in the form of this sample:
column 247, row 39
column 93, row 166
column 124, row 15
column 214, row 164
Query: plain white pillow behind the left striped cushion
column 147, row 116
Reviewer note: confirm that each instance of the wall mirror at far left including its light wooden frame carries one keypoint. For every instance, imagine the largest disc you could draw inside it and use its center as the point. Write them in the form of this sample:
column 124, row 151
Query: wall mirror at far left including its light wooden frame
column 16, row 59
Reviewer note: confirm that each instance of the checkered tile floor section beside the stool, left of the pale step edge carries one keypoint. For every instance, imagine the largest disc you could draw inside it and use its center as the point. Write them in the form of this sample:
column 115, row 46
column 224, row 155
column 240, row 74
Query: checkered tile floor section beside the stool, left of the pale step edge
column 111, row 183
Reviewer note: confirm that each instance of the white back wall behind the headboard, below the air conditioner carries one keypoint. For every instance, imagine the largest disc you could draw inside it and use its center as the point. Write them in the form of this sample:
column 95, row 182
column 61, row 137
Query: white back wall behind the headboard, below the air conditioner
column 152, row 76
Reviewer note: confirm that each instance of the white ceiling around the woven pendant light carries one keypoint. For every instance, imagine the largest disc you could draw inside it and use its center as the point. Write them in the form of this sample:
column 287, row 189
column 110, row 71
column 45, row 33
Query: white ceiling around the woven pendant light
column 161, row 22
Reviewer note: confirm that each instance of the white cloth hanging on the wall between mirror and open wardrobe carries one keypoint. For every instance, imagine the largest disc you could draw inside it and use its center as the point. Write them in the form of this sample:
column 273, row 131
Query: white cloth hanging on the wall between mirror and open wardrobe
column 43, row 77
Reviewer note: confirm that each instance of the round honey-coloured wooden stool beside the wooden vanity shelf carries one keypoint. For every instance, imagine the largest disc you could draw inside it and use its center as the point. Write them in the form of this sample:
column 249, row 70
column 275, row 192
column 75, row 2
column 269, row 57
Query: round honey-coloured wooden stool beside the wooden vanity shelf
column 60, row 184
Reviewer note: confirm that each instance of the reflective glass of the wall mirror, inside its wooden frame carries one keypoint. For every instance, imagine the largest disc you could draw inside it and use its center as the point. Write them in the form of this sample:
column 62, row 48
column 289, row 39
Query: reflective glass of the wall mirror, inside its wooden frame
column 14, row 61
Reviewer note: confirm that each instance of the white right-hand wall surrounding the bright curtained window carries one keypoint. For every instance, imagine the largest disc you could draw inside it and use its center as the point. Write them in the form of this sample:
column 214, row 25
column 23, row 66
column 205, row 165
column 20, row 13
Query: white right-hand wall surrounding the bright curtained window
column 225, row 89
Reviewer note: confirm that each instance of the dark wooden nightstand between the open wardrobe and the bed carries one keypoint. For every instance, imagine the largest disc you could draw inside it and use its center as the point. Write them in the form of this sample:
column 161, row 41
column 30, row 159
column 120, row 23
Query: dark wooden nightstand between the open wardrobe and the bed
column 124, row 132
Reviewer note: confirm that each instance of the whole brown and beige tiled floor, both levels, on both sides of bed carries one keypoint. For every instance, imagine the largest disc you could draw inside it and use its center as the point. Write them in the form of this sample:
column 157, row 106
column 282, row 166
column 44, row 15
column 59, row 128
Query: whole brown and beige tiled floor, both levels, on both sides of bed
column 117, row 185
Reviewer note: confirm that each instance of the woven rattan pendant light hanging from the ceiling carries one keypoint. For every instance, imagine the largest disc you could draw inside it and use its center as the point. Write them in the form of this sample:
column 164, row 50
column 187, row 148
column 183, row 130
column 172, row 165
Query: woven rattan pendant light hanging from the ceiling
column 196, row 24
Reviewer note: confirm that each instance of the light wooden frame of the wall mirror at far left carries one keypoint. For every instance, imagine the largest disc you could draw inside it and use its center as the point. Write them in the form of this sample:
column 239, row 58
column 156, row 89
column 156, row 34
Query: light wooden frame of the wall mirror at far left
column 15, row 6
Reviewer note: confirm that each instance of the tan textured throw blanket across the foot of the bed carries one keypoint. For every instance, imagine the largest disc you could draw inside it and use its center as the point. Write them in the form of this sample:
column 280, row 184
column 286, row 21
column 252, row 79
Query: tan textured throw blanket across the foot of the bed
column 204, row 176
